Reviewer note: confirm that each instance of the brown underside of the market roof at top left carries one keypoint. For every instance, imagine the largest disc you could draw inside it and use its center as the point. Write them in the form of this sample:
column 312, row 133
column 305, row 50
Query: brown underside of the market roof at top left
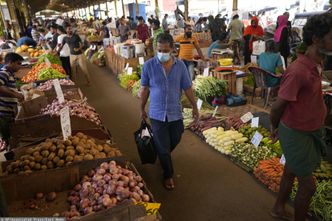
column 61, row 5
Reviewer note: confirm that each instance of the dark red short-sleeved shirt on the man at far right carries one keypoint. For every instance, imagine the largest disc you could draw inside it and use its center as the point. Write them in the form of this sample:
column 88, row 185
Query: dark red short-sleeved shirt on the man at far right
column 302, row 87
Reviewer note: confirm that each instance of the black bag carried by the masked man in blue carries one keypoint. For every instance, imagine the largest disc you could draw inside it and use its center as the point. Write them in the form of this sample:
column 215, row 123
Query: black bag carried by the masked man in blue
column 145, row 145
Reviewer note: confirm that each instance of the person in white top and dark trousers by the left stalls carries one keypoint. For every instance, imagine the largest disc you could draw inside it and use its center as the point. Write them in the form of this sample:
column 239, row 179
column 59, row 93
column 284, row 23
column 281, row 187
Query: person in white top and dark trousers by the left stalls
column 64, row 51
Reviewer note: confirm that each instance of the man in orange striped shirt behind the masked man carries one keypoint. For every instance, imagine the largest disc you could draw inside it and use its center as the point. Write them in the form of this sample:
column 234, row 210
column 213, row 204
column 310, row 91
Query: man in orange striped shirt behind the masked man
column 187, row 43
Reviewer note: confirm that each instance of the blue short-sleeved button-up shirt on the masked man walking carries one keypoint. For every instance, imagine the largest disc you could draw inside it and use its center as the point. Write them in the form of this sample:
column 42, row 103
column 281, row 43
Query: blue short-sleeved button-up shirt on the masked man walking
column 165, row 88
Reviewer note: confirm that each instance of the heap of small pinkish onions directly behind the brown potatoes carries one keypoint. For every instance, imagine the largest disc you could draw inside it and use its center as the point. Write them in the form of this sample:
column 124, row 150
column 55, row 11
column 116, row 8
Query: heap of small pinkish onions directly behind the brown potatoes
column 77, row 108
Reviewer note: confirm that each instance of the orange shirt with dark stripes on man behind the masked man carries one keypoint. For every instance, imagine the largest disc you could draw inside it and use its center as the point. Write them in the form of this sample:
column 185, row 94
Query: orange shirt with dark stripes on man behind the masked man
column 186, row 47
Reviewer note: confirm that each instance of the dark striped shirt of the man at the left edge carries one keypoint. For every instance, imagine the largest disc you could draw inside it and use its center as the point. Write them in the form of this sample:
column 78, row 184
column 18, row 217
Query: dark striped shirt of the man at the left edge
column 8, row 105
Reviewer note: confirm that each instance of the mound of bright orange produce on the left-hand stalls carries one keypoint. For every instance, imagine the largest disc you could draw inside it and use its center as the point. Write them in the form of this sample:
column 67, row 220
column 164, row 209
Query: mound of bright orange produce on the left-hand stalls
column 36, row 71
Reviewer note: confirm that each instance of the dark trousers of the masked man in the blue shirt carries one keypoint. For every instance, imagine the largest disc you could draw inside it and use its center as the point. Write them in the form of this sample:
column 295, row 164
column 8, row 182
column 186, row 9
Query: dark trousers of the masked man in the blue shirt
column 166, row 136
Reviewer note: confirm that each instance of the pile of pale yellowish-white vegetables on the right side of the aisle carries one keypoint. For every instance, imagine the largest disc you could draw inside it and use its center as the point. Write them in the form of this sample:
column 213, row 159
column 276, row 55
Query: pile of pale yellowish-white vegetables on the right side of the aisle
column 223, row 140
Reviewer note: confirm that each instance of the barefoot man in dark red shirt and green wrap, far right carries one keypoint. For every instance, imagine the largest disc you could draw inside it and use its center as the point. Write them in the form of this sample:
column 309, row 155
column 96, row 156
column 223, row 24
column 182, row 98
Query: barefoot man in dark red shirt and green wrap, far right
column 298, row 116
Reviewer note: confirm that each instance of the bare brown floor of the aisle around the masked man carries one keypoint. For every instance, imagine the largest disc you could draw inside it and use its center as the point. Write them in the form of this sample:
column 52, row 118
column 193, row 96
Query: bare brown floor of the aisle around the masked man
column 208, row 185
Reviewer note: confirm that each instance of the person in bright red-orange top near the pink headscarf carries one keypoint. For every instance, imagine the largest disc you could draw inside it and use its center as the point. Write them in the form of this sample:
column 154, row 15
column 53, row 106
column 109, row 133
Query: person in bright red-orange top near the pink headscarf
column 252, row 33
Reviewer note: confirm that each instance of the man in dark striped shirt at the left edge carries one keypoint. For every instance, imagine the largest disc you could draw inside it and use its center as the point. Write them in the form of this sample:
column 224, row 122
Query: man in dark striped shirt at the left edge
column 9, row 95
